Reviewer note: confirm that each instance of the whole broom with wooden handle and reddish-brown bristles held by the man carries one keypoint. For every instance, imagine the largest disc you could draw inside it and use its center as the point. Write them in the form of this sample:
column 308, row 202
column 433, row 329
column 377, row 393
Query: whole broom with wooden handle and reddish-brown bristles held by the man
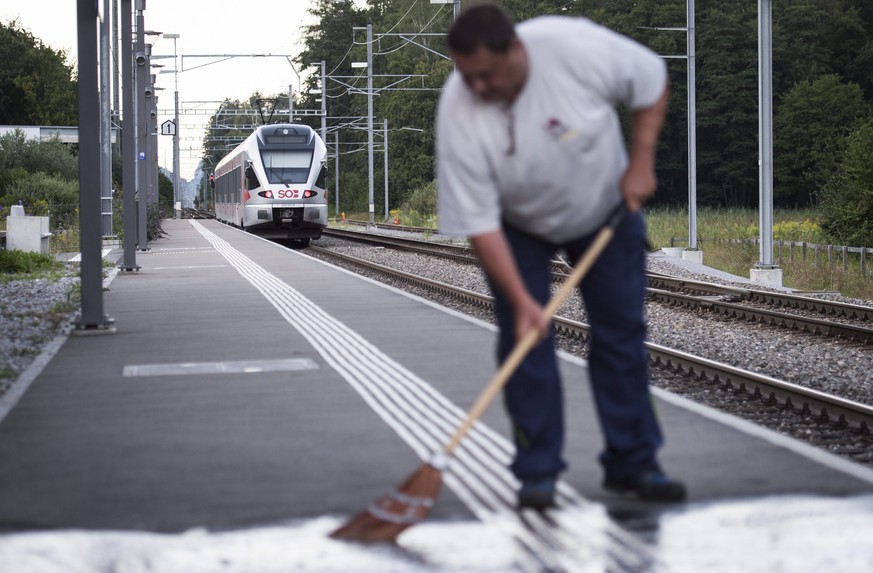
column 411, row 502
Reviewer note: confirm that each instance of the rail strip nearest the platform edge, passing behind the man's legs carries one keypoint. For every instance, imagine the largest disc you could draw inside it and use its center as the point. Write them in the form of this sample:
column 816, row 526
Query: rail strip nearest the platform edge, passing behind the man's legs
column 827, row 407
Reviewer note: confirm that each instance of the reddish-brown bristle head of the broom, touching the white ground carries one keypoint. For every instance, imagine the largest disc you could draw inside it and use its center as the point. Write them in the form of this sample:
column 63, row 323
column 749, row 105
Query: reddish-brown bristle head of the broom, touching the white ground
column 392, row 514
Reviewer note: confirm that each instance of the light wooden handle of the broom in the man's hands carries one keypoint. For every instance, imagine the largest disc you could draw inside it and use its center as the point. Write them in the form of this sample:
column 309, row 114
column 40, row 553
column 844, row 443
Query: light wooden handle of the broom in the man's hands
column 532, row 337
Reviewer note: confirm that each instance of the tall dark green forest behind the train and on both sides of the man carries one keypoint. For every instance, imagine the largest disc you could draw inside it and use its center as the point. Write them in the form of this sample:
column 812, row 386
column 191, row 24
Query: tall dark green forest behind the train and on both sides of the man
column 815, row 43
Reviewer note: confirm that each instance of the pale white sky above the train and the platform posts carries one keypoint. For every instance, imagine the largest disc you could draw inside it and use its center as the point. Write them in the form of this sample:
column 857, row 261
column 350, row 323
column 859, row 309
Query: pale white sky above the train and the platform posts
column 204, row 27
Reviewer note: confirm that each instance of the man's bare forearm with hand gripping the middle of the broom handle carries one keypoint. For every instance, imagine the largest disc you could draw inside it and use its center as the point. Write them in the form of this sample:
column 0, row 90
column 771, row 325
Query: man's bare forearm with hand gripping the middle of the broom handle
column 499, row 264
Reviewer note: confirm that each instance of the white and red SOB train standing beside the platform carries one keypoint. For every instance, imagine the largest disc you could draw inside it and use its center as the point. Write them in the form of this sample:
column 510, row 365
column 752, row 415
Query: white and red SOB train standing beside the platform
column 273, row 184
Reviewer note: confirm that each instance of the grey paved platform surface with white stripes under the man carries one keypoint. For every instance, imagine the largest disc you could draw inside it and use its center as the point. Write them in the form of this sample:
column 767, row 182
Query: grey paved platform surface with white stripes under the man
column 249, row 387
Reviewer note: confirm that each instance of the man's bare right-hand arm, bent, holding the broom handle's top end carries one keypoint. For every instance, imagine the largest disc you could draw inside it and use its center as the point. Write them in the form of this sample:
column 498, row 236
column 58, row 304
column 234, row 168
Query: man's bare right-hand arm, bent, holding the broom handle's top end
column 639, row 182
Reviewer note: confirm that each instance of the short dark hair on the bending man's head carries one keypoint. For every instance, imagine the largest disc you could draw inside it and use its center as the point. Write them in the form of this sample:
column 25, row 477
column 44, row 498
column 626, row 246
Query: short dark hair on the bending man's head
column 482, row 25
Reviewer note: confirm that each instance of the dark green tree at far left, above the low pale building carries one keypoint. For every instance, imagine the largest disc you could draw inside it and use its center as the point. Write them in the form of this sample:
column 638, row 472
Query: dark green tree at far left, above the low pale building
column 36, row 84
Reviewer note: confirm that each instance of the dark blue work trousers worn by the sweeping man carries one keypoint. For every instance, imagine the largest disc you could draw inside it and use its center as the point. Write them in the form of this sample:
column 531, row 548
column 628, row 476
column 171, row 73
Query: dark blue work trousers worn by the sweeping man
column 614, row 295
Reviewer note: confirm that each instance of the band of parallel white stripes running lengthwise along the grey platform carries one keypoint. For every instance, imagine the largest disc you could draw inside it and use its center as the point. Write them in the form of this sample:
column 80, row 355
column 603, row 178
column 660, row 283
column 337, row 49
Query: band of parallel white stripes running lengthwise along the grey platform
column 424, row 418
